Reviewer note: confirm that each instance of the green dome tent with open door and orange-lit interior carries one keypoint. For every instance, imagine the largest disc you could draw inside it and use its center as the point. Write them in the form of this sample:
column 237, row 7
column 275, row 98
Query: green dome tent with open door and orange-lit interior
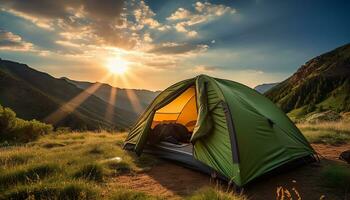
column 236, row 132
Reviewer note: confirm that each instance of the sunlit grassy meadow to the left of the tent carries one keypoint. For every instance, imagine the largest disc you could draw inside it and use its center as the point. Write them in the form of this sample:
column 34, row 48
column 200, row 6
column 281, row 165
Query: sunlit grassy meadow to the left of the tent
column 69, row 166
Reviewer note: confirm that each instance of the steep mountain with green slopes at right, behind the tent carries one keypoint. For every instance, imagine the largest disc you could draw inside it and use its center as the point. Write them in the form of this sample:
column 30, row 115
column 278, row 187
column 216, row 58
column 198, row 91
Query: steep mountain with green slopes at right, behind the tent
column 322, row 83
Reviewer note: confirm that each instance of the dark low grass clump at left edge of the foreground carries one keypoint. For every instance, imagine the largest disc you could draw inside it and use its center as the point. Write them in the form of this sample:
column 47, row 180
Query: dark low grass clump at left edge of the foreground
column 31, row 174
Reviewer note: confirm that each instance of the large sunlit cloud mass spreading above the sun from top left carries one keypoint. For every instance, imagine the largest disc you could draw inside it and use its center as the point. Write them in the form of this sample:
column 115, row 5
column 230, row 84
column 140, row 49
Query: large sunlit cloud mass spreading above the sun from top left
column 86, row 28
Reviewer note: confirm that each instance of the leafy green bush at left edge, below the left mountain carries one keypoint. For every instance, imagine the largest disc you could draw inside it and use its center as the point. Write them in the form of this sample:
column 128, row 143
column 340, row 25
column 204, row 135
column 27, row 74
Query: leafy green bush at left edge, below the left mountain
column 17, row 130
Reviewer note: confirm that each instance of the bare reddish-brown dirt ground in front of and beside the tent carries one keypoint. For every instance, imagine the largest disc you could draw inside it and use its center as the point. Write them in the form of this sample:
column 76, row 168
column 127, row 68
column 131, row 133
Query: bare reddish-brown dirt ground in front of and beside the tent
column 174, row 182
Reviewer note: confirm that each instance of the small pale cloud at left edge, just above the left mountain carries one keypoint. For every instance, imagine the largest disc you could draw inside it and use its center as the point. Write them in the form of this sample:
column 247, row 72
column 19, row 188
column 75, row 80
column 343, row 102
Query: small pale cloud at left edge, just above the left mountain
column 12, row 42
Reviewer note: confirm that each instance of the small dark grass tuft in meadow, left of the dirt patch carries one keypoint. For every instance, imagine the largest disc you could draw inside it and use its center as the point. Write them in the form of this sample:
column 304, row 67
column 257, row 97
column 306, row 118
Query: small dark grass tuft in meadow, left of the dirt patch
column 92, row 172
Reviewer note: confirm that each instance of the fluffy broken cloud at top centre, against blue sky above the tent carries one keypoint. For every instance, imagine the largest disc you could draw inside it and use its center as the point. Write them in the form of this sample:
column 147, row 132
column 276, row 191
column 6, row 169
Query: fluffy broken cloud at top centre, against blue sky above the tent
column 203, row 13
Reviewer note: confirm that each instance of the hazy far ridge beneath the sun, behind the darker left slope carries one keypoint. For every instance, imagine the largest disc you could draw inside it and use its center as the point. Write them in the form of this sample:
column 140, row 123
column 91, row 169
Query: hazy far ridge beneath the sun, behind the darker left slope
column 132, row 100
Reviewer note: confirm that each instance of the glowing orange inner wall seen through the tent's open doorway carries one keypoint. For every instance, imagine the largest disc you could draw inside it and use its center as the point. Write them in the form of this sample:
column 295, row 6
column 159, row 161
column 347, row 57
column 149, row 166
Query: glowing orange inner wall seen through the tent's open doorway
column 182, row 110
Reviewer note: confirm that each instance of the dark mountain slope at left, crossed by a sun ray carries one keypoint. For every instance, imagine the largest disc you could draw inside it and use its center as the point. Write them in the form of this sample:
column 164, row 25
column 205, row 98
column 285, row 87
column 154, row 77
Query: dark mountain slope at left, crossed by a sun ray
column 34, row 94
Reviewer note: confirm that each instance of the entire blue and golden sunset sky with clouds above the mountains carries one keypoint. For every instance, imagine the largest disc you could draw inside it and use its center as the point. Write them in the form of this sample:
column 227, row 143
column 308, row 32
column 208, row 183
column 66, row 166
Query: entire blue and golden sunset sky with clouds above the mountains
column 162, row 42
